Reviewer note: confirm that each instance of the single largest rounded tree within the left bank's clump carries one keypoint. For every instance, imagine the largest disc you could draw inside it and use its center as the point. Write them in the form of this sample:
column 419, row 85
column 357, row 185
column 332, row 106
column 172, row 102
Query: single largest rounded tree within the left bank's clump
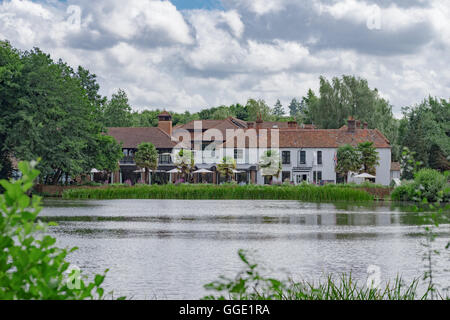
column 55, row 119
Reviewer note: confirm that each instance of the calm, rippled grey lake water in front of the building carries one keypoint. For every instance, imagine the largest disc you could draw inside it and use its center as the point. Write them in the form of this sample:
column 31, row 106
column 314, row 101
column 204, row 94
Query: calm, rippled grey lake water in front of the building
column 168, row 249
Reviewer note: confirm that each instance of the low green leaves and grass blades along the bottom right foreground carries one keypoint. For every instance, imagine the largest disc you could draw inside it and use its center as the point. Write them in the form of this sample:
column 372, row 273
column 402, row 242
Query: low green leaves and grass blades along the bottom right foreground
column 251, row 284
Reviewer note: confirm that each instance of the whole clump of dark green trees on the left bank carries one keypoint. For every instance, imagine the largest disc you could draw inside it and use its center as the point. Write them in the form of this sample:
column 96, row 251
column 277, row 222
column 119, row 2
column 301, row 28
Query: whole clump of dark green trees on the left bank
column 48, row 110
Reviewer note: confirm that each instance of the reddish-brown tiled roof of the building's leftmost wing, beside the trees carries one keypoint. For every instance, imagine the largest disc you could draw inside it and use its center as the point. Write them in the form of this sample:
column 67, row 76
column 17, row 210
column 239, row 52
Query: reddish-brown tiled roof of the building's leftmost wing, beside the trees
column 132, row 137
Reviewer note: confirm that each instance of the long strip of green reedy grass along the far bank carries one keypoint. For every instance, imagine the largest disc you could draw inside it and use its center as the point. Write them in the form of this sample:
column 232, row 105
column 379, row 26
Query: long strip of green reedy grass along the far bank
column 223, row 192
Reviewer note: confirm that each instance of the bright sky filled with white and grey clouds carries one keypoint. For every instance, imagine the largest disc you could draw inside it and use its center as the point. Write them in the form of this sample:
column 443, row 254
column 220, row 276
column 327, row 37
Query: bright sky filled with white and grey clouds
column 191, row 54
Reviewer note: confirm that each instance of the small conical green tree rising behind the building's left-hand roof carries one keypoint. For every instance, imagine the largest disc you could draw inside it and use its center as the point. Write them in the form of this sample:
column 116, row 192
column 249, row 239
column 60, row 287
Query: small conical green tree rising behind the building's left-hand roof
column 117, row 112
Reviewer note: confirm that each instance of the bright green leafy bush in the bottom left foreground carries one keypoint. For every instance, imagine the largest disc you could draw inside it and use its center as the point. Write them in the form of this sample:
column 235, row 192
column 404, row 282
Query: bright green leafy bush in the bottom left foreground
column 31, row 266
